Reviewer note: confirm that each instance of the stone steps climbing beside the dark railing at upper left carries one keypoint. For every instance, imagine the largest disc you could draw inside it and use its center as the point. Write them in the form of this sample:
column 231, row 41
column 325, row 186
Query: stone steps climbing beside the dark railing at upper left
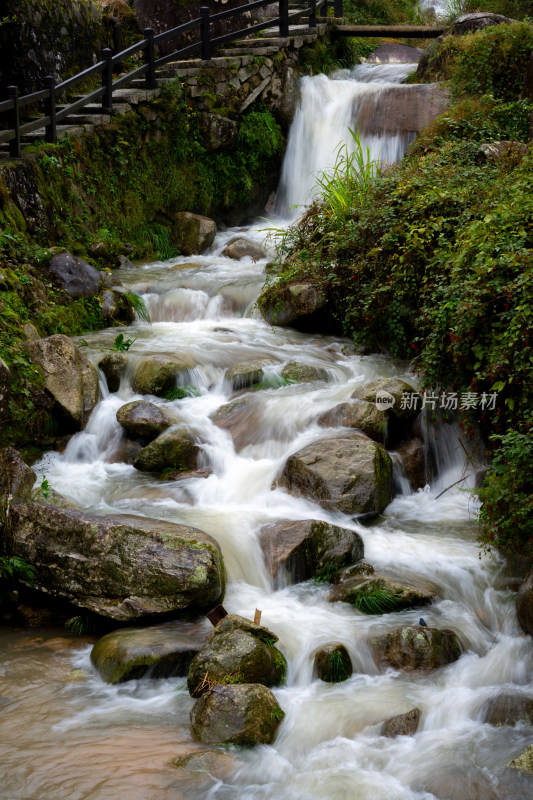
column 239, row 57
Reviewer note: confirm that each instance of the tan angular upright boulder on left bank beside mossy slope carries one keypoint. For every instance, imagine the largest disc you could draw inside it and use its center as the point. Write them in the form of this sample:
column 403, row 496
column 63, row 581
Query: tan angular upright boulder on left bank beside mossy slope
column 69, row 378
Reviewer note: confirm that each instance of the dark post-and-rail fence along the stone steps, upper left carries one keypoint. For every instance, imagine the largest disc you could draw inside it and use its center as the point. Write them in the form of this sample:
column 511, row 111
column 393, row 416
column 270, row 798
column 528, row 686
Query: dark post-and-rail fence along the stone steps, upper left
column 111, row 62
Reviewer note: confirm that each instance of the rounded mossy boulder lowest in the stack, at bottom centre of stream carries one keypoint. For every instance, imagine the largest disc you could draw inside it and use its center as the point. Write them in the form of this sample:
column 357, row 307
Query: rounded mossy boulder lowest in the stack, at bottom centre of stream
column 245, row 714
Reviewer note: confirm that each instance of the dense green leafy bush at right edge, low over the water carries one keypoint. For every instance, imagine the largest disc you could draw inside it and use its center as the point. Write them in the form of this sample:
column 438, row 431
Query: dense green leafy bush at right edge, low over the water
column 506, row 515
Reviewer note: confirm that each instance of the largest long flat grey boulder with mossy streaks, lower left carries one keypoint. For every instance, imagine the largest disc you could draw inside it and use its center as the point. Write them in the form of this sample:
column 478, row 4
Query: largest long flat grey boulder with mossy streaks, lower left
column 122, row 567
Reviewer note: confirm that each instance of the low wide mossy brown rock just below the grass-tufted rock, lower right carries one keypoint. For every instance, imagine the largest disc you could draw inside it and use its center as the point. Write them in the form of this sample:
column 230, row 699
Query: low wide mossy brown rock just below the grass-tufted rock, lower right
column 415, row 648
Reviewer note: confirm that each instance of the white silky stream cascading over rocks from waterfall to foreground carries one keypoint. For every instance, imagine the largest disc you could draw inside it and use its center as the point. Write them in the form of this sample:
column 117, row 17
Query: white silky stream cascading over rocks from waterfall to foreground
column 66, row 734
